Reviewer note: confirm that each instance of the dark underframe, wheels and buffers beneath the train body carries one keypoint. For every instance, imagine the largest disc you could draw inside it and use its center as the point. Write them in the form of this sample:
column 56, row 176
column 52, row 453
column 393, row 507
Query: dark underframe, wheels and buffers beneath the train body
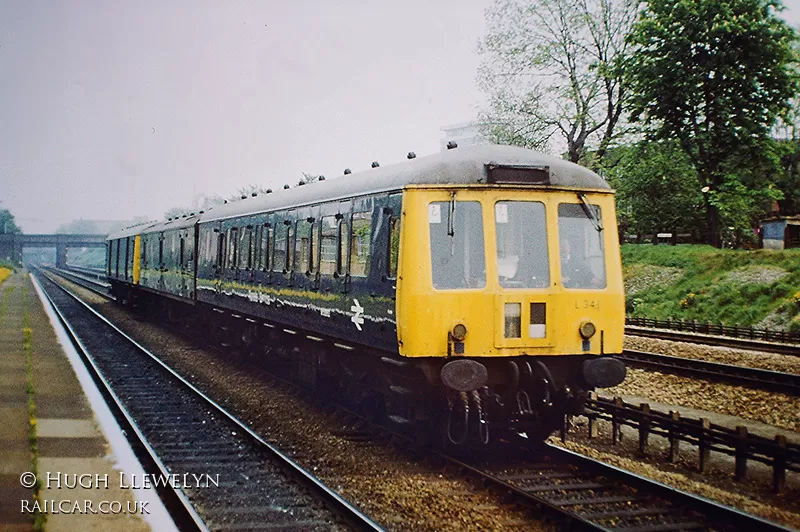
column 444, row 401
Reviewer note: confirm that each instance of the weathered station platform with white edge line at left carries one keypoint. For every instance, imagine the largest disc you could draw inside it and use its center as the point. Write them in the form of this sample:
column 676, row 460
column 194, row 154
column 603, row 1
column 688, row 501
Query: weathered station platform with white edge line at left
column 78, row 470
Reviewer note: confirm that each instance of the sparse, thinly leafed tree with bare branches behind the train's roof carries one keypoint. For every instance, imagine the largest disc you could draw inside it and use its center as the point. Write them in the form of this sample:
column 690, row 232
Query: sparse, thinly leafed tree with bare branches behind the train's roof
column 555, row 67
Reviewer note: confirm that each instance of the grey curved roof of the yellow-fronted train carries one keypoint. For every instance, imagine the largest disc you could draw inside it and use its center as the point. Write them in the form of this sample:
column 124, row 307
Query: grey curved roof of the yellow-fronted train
column 460, row 166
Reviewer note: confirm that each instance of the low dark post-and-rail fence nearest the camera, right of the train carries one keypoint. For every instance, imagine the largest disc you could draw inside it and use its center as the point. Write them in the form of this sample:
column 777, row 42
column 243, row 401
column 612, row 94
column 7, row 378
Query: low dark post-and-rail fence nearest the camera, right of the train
column 776, row 453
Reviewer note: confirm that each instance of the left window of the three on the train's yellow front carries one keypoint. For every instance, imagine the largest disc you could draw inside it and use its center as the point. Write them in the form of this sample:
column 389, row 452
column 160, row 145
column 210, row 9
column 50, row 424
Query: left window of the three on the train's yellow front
column 457, row 250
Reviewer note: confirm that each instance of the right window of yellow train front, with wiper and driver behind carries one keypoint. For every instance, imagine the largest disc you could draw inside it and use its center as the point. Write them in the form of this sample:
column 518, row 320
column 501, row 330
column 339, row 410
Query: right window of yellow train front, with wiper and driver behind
column 580, row 247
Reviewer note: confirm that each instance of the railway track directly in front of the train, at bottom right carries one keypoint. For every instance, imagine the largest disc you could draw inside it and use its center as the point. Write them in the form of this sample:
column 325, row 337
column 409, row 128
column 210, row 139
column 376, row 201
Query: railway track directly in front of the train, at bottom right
column 580, row 493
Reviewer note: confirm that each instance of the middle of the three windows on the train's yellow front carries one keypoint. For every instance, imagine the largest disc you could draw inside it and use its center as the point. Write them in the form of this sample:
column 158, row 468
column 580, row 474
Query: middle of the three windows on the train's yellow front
column 522, row 257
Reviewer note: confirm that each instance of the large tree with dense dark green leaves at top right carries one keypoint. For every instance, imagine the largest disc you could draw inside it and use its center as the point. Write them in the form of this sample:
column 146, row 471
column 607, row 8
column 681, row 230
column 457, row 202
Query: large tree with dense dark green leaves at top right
column 714, row 75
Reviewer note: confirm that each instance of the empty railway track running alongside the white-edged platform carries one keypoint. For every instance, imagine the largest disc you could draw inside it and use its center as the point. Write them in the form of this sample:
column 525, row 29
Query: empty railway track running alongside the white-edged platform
column 245, row 482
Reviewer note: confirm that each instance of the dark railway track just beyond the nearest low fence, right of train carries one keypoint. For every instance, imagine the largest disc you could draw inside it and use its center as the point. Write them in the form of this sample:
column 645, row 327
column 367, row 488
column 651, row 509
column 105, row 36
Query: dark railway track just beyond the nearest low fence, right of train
column 772, row 381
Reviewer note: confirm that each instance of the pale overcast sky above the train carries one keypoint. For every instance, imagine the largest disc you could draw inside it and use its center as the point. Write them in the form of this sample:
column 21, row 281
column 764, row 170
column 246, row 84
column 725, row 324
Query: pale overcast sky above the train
column 116, row 109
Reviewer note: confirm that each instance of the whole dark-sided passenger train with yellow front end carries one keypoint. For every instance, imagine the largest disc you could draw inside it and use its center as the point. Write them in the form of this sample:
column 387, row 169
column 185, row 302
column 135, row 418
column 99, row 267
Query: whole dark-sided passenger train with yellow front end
column 466, row 293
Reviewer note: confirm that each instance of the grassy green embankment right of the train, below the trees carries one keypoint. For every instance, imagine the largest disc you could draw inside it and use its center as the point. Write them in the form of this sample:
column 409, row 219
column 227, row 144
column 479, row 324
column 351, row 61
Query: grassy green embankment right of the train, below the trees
column 759, row 288
